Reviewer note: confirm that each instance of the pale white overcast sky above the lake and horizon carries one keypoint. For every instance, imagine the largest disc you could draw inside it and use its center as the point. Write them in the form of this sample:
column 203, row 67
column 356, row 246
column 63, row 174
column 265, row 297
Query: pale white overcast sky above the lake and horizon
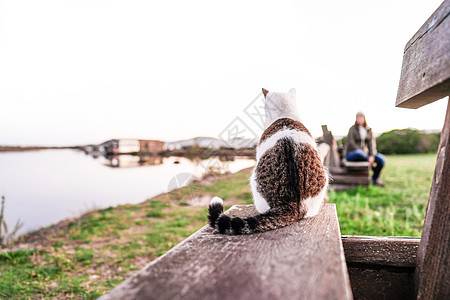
column 78, row 72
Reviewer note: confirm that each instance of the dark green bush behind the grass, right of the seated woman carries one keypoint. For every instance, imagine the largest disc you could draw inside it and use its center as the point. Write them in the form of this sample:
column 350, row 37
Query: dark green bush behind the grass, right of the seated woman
column 407, row 141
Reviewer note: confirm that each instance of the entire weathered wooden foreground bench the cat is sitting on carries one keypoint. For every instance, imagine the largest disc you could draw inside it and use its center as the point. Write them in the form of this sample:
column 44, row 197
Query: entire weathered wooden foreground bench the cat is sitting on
column 305, row 260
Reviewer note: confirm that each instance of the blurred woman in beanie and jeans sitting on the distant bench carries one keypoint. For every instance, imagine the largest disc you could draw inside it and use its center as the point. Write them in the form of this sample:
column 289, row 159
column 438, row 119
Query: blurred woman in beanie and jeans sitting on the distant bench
column 361, row 147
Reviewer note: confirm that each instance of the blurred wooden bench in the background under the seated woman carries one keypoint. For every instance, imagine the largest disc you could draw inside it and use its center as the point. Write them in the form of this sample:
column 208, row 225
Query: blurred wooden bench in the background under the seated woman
column 344, row 175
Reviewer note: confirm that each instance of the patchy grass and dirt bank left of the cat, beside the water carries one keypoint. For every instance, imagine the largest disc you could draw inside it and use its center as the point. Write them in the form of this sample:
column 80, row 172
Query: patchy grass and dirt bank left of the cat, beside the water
column 86, row 256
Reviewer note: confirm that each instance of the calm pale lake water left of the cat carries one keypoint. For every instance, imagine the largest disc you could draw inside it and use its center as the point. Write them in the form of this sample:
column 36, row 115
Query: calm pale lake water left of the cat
column 43, row 187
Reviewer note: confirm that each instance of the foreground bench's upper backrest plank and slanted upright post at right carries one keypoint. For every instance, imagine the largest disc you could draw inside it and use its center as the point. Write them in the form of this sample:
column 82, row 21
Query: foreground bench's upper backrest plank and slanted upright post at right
column 425, row 78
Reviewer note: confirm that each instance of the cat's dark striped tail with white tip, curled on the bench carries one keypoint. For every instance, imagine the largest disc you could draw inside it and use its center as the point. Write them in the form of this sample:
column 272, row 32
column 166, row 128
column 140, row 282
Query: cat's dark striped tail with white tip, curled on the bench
column 248, row 225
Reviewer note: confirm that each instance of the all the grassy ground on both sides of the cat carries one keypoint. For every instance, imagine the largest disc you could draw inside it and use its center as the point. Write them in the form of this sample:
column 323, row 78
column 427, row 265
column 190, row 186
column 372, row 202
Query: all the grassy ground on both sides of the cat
column 84, row 258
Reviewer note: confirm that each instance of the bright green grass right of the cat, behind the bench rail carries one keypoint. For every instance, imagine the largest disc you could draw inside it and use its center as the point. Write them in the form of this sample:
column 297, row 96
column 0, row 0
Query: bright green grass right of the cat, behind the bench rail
column 395, row 210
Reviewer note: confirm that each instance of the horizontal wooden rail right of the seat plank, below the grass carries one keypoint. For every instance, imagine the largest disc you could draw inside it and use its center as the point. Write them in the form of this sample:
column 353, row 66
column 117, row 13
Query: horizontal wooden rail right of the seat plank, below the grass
column 383, row 251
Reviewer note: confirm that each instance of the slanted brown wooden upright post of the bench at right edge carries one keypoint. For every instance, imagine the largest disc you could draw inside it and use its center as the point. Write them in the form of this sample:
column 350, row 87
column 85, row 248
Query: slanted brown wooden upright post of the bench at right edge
column 433, row 256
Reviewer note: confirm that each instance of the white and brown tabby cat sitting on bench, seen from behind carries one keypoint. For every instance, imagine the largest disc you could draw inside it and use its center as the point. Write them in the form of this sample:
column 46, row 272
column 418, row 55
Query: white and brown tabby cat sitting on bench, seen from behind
column 289, row 181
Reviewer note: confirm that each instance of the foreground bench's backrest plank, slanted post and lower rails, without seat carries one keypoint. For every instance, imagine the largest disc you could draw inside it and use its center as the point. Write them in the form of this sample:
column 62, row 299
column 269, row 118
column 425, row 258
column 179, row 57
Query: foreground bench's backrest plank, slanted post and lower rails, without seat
column 411, row 268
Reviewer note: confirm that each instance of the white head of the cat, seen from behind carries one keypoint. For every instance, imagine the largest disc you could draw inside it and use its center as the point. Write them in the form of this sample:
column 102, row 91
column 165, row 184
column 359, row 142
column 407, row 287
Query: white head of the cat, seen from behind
column 280, row 105
